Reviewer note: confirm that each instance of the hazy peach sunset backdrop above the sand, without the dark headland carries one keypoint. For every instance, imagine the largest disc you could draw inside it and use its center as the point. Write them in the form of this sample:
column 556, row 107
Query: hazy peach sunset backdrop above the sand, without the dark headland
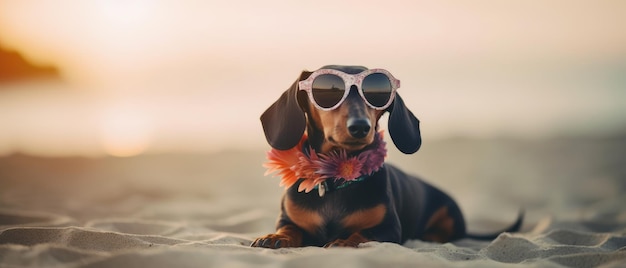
column 177, row 76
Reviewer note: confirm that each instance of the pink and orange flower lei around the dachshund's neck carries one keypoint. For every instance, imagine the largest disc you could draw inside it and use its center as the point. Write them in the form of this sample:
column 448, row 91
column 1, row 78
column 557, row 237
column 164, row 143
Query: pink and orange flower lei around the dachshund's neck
column 293, row 164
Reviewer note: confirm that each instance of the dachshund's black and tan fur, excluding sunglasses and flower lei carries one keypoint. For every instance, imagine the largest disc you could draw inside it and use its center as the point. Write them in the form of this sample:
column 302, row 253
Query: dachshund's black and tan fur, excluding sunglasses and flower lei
column 388, row 206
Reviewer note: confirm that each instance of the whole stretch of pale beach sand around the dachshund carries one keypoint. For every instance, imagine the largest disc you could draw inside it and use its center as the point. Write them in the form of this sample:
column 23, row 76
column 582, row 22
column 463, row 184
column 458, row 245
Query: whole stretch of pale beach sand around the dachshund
column 194, row 210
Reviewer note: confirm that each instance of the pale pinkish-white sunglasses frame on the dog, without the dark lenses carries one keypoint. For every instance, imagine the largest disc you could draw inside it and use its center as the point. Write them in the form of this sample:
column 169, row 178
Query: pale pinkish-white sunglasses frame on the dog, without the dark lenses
column 349, row 80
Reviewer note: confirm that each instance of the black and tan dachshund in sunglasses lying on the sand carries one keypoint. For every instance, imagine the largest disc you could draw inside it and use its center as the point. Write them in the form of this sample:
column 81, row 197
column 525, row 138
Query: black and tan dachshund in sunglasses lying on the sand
column 384, row 204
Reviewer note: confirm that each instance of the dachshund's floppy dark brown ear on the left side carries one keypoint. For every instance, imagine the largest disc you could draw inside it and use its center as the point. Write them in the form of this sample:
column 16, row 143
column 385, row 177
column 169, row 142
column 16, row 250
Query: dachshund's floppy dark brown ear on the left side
column 284, row 122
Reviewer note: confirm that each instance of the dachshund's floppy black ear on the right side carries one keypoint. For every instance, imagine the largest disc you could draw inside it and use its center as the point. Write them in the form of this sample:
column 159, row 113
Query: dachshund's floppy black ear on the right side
column 404, row 127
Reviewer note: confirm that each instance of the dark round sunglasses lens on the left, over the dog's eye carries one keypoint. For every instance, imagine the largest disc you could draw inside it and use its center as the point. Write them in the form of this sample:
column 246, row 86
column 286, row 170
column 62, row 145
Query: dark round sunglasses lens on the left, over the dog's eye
column 328, row 90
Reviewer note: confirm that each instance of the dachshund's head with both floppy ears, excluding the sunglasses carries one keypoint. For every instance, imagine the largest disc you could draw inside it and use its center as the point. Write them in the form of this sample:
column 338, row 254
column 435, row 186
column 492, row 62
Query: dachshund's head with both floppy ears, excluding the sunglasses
column 351, row 126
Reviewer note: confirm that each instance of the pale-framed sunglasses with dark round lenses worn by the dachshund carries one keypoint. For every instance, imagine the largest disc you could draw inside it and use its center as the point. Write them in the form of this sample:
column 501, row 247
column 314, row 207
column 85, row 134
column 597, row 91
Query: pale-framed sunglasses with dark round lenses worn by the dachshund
column 328, row 88
